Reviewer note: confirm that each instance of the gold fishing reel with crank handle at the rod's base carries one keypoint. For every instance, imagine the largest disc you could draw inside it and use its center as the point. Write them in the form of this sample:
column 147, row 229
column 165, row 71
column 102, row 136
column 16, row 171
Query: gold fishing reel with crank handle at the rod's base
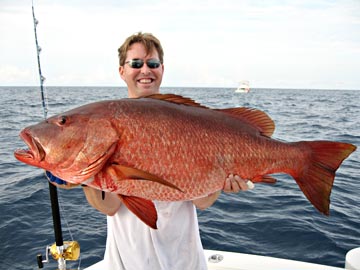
column 69, row 251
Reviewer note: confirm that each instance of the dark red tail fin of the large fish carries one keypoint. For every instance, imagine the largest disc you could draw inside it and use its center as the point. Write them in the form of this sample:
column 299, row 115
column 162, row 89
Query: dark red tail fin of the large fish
column 317, row 178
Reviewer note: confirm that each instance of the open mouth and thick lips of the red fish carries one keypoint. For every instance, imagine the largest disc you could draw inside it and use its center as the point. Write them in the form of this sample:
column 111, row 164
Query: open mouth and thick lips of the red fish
column 35, row 152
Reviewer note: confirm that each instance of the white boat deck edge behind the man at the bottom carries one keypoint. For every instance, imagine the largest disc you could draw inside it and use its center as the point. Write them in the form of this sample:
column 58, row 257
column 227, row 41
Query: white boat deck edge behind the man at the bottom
column 224, row 260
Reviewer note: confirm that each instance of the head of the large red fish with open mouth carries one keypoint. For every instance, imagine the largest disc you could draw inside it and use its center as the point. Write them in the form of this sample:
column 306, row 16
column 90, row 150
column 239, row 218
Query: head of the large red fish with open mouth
column 73, row 145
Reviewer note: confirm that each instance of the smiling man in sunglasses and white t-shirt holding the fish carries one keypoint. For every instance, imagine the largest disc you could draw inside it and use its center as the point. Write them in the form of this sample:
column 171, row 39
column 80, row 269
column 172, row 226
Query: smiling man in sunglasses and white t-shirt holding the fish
column 130, row 243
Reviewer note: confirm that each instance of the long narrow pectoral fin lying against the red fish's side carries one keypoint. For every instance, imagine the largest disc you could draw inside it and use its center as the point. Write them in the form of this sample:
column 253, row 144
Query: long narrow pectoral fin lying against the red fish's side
column 124, row 172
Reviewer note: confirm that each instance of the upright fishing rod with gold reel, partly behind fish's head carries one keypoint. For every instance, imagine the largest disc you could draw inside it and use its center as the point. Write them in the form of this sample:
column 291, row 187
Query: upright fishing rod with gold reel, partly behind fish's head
column 60, row 250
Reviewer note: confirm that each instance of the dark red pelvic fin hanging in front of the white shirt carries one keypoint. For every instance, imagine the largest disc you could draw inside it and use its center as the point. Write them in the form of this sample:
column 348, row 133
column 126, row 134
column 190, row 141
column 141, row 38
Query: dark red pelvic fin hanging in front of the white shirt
column 142, row 208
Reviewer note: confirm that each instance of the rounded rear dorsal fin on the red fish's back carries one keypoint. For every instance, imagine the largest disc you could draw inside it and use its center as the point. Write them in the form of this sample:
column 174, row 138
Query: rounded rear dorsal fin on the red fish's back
column 256, row 118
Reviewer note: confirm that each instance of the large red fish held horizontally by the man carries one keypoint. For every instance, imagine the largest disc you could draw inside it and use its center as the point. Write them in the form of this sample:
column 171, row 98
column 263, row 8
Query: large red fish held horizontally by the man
column 166, row 147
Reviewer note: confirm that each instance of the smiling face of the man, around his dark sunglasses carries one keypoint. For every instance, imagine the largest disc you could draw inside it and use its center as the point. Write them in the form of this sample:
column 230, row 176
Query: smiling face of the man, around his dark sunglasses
column 143, row 81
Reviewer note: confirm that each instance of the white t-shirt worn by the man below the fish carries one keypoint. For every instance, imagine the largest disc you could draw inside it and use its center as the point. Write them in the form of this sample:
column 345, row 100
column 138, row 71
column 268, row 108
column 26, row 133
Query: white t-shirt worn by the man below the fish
column 176, row 243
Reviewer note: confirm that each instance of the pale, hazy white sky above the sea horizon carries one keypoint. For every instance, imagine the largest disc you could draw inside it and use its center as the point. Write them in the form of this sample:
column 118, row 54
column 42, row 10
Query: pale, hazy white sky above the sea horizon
column 306, row 44
